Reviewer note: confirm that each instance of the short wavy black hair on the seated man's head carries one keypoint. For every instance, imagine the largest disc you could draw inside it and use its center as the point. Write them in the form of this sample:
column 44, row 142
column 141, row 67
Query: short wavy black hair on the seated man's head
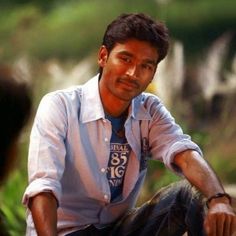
column 138, row 26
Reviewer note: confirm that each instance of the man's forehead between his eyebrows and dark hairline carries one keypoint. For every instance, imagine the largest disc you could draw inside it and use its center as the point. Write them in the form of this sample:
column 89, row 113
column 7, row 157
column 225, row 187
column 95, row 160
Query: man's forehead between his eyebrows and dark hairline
column 136, row 48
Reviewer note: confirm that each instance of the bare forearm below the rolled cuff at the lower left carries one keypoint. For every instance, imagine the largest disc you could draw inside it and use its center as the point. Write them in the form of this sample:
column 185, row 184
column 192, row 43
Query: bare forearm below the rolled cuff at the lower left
column 44, row 212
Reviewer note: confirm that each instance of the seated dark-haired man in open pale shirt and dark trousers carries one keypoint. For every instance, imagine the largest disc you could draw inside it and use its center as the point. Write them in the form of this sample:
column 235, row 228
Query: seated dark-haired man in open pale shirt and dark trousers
column 90, row 144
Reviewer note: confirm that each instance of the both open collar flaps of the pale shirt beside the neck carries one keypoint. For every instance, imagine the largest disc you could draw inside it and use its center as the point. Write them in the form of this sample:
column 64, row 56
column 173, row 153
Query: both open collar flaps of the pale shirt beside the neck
column 92, row 109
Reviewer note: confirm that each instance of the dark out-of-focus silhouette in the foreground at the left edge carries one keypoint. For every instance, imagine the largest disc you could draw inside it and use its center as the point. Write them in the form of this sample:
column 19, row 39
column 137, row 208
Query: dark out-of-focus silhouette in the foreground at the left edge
column 15, row 105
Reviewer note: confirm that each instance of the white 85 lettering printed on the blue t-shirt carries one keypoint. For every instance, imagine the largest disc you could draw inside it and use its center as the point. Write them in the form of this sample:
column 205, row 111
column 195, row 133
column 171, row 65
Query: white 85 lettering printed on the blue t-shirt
column 116, row 168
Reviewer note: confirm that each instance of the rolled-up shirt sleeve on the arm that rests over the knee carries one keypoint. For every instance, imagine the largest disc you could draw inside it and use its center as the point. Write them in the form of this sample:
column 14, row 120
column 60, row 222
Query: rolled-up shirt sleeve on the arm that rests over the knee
column 167, row 138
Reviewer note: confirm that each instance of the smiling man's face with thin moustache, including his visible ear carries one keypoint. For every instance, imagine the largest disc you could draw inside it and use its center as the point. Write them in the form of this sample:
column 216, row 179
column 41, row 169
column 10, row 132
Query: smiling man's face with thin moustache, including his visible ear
column 127, row 69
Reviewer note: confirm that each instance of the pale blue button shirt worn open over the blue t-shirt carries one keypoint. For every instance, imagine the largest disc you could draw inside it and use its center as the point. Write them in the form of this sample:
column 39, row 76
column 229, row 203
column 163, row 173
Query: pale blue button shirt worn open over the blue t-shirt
column 69, row 152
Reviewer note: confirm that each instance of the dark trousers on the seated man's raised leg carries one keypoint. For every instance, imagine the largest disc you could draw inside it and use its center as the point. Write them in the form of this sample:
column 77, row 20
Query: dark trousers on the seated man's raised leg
column 174, row 210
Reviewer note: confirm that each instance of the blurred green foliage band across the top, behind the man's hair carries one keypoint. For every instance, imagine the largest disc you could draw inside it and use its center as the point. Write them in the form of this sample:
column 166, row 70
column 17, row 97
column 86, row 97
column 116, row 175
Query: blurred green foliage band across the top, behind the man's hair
column 73, row 29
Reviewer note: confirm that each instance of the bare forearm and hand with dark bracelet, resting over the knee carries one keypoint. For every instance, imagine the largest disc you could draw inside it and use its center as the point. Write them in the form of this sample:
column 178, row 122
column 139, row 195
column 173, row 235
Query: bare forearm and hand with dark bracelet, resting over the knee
column 220, row 219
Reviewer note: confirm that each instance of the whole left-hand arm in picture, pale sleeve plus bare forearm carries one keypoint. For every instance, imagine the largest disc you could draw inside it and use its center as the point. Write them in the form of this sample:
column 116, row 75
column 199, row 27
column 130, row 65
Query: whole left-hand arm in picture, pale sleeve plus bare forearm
column 46, row 165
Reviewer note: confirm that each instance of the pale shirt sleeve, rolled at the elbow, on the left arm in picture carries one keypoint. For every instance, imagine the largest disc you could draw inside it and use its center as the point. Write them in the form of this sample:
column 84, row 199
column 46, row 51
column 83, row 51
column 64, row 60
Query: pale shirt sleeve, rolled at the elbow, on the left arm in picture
column 46, row 157
